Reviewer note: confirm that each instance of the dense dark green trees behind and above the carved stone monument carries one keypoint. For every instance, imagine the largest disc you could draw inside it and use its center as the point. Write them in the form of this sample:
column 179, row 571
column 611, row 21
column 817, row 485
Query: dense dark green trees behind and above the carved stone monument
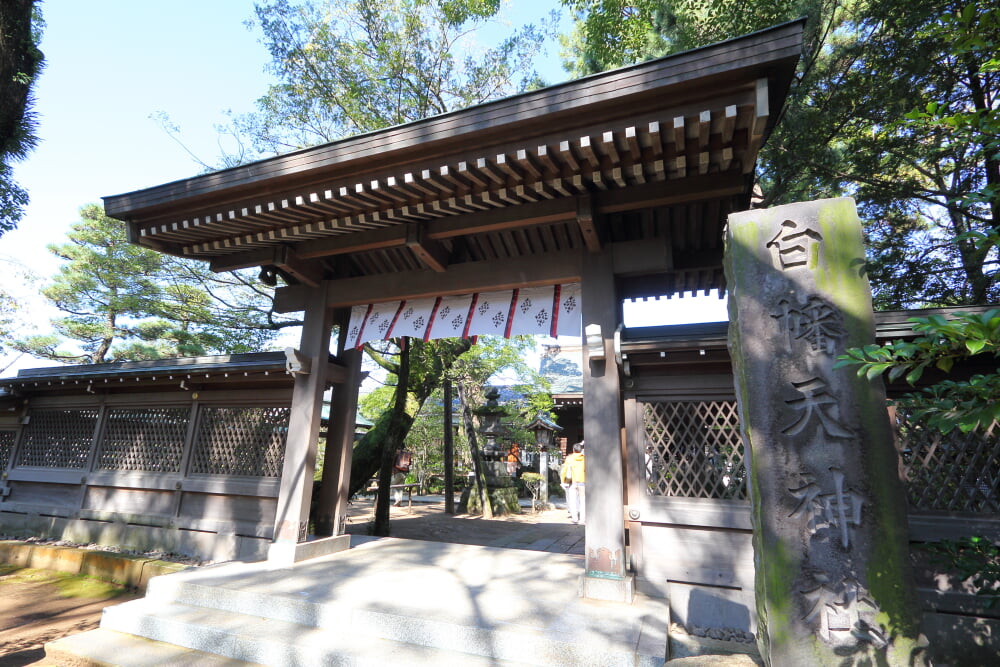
column 914, row 181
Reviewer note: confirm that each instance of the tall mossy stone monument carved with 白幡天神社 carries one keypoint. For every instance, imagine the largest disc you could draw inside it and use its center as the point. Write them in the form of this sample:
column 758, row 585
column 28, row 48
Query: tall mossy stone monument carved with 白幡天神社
column 830, row 531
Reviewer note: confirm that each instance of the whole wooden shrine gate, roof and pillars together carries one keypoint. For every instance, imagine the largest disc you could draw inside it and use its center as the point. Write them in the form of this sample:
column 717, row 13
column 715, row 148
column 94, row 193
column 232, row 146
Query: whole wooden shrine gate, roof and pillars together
column 620, row 182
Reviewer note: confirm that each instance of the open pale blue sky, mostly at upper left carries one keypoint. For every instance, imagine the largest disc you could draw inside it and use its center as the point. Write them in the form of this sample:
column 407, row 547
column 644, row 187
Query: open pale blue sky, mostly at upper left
column 110, row 65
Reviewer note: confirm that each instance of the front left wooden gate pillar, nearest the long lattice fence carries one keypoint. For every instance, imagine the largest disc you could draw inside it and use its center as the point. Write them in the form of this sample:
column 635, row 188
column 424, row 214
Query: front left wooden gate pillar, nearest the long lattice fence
column 292, row 518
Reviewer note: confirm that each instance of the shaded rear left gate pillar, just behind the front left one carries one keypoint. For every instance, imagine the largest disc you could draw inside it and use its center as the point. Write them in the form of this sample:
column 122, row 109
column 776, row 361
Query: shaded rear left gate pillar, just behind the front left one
column 331, row 516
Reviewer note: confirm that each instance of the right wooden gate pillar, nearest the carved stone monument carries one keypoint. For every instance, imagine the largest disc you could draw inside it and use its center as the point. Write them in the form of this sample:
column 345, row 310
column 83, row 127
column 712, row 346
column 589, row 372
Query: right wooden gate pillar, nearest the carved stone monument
column 605, row 577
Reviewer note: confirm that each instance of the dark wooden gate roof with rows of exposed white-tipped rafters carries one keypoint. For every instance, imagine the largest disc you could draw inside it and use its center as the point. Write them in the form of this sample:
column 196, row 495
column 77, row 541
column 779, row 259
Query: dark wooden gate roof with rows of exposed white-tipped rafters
column 660, row 151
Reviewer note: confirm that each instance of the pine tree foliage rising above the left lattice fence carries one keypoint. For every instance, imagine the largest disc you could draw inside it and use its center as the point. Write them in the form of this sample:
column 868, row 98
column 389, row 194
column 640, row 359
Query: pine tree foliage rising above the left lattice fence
column 125, row 302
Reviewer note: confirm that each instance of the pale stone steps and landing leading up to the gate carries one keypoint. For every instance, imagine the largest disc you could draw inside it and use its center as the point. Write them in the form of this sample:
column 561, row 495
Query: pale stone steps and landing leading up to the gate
column 362, row 607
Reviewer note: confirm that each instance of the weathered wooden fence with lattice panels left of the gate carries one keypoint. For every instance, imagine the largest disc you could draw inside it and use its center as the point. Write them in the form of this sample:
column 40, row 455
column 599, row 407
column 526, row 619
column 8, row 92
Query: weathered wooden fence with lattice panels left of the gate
column 168, row 472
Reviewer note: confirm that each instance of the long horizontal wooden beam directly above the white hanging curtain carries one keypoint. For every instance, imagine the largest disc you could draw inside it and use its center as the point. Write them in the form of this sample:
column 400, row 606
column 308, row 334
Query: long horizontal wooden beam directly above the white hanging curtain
column 532, row 271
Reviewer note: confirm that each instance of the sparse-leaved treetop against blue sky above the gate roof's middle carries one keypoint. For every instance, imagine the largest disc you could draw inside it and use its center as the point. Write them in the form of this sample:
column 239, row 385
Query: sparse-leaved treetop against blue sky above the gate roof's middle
column 347, row 67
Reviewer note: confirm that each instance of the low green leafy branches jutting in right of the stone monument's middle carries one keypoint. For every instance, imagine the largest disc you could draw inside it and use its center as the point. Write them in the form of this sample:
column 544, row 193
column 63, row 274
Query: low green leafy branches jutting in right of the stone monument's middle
column 964, row 404
